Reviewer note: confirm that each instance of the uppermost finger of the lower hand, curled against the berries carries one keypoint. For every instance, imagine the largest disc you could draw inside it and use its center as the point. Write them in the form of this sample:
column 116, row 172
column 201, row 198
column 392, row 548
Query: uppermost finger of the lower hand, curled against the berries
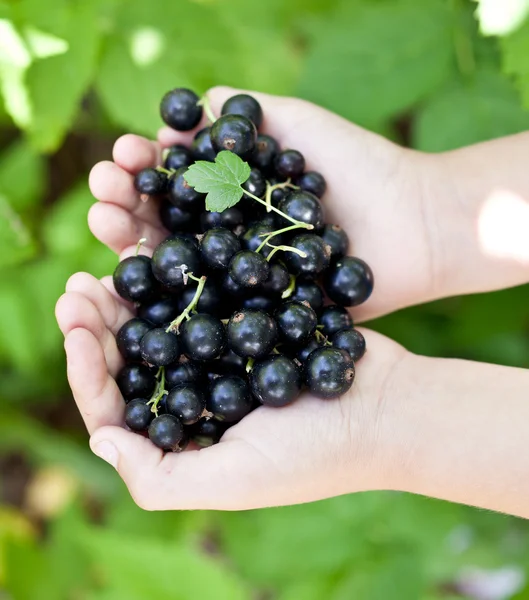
column 113, row 312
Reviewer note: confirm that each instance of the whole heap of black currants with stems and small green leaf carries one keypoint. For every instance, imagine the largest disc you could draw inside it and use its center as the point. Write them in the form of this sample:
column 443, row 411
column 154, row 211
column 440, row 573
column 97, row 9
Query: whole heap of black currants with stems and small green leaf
column 243, row 304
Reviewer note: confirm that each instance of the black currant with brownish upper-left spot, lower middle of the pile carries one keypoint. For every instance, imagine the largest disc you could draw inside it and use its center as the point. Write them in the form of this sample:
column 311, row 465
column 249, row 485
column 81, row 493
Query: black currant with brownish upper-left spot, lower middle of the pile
column 252, row 333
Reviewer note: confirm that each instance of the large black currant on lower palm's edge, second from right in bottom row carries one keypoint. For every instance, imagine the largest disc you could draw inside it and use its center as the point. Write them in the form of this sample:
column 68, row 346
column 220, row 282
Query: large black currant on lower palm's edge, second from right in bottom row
column 275, row 381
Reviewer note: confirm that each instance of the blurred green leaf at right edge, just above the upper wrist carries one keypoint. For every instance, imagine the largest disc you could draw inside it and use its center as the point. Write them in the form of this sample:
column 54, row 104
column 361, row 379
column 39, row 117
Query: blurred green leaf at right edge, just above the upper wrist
column 467, row 112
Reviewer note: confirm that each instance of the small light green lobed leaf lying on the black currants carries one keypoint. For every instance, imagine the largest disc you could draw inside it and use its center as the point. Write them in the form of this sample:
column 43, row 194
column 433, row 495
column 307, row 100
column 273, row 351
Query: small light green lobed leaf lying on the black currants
column 221, row 180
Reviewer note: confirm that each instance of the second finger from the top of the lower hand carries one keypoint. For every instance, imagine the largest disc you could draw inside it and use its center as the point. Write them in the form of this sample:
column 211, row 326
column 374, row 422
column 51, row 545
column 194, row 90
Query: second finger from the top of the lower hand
column 73, row 311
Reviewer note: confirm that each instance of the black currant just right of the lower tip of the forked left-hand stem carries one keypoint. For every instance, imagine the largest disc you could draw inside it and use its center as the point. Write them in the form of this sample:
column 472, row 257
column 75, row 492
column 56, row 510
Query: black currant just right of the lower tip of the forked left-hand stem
column 203, row 337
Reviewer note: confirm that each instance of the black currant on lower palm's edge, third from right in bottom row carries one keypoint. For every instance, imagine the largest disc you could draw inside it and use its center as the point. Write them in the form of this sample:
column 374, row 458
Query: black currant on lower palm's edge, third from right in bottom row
column 229, row 399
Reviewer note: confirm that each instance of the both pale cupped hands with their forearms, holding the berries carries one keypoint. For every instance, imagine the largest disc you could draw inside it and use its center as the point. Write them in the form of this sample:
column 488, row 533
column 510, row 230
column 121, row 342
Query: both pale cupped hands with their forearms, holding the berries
column 430, row 226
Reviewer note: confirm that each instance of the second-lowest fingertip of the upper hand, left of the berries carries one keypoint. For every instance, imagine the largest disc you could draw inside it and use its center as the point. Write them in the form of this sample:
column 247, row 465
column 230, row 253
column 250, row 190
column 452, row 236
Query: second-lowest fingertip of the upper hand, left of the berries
column 111, row 184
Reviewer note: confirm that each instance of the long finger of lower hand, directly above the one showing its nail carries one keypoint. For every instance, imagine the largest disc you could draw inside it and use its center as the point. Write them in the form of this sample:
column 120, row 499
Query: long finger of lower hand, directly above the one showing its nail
column 95, row 391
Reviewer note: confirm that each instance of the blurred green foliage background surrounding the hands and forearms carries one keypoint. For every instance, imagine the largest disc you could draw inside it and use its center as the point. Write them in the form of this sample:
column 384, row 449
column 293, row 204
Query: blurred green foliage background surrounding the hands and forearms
column 74, row 75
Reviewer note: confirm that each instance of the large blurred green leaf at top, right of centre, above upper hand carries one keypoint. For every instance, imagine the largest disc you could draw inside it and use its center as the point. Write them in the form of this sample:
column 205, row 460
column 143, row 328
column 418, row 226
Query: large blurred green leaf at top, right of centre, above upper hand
column 372, row 60
